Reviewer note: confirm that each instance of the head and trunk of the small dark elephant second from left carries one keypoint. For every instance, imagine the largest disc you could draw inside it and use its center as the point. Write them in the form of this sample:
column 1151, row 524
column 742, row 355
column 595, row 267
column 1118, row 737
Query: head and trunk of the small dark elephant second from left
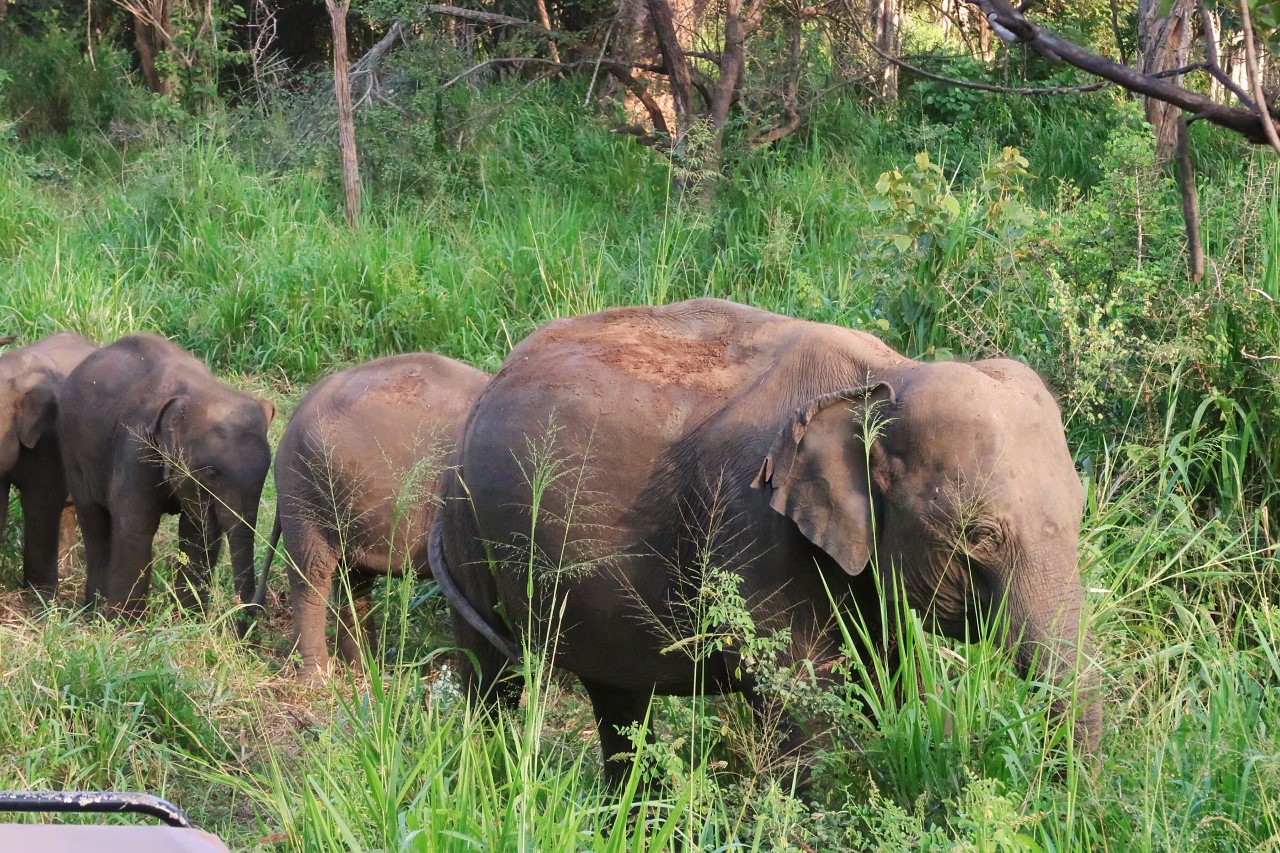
column 216, row 457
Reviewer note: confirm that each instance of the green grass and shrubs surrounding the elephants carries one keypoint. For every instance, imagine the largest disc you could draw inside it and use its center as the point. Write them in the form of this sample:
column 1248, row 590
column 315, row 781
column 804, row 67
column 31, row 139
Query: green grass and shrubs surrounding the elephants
column 952, row 223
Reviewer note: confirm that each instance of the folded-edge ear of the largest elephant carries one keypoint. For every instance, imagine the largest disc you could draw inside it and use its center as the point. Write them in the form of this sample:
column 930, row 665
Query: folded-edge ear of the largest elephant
column 820, row 477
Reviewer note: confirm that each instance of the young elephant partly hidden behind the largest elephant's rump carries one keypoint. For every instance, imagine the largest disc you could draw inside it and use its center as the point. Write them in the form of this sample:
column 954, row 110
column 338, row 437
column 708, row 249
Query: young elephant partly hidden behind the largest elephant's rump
column 356, row 477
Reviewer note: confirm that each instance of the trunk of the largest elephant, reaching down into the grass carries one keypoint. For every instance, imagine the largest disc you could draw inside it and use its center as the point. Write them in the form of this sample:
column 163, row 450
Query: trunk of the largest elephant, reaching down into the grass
column 1052, row 641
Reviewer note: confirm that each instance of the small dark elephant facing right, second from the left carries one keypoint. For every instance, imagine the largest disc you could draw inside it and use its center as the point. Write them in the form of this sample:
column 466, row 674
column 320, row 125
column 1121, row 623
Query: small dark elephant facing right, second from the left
column 148, row 431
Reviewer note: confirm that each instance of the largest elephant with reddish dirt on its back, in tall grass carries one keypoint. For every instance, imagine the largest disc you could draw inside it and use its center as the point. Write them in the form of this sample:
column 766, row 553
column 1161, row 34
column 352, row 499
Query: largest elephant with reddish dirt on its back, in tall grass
column 618, row 460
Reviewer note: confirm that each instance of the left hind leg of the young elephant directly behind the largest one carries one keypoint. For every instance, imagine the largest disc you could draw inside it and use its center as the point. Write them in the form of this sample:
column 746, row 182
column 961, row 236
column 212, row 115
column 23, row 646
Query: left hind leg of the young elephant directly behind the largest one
column 310, row 567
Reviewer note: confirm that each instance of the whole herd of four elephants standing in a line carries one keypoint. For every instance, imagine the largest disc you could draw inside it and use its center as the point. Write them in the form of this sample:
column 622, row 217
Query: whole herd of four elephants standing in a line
column 582, row 500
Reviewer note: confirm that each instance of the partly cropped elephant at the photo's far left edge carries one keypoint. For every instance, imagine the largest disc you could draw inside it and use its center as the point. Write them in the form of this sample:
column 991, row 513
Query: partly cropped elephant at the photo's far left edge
column 31, row 384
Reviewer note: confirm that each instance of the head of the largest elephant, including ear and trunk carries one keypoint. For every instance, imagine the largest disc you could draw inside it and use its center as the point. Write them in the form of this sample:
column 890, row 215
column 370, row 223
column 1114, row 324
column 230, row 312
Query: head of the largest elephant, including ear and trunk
column 957, row 478
